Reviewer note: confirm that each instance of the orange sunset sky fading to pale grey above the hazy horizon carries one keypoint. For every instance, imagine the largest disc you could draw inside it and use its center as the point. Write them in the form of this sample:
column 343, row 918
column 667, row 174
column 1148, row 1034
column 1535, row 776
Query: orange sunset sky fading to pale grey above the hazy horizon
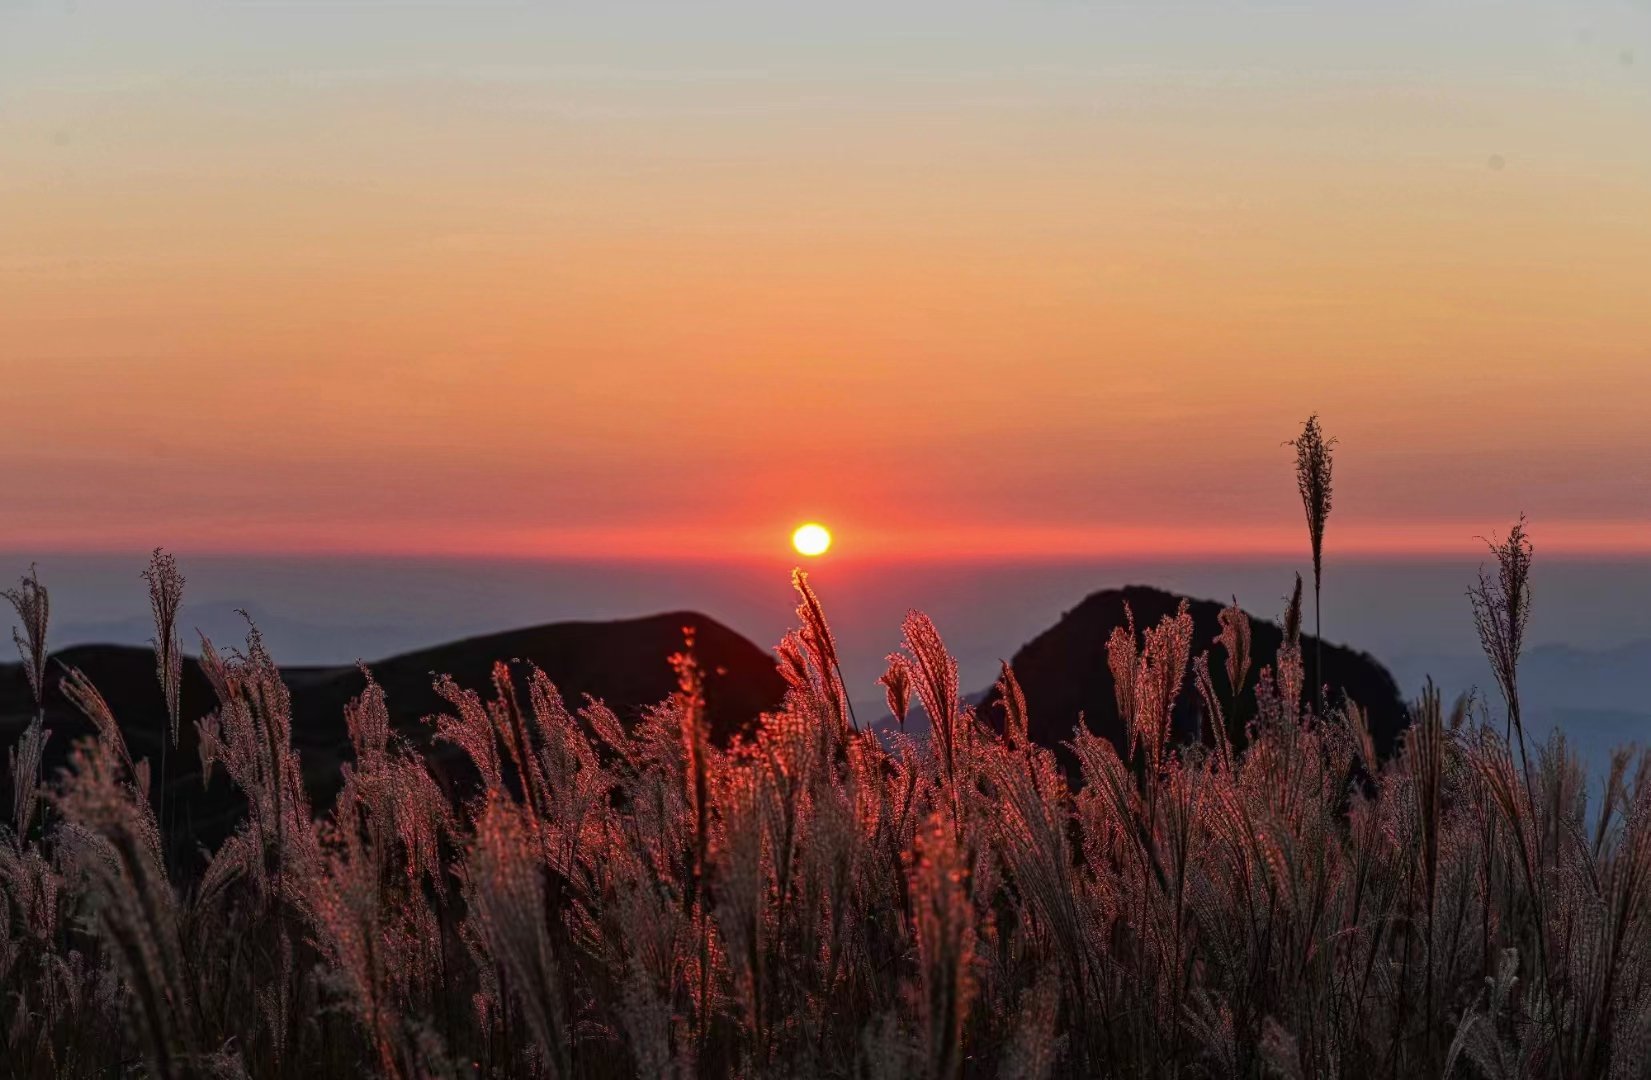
column 993, row 280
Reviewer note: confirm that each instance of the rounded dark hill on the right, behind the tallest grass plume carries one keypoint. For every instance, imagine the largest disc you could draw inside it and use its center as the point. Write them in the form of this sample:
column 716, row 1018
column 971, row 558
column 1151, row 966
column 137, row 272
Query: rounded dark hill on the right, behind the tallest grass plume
column 1064, row 671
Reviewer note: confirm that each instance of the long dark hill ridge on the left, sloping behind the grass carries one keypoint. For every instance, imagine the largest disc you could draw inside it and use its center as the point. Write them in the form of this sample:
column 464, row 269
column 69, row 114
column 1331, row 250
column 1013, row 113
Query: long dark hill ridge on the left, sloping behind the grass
column 623, row 663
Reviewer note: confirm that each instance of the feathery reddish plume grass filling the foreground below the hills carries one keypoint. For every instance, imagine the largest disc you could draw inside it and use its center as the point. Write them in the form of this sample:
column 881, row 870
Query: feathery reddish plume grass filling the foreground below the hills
column 1269, row 894
